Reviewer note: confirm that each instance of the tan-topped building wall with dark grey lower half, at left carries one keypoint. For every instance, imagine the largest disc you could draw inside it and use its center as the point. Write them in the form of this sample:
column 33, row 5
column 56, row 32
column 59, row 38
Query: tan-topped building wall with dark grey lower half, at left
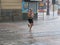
column 10, row 10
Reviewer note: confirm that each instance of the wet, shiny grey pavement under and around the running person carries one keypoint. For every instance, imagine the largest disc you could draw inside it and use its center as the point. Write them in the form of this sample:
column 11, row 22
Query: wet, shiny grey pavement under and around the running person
column 46, row 32
